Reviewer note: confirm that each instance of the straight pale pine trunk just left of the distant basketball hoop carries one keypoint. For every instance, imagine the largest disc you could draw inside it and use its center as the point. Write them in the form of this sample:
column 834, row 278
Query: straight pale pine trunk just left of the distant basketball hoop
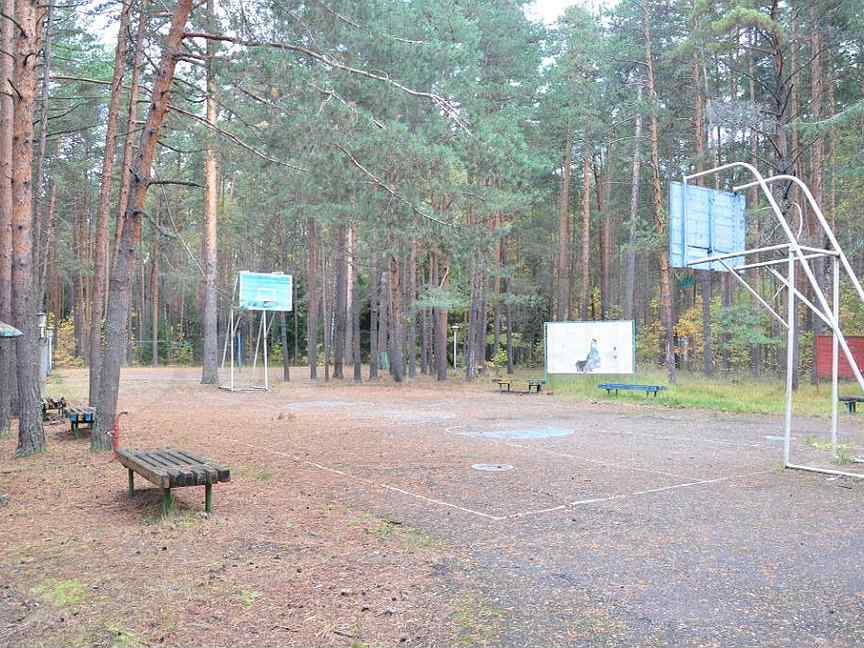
column 210, row 359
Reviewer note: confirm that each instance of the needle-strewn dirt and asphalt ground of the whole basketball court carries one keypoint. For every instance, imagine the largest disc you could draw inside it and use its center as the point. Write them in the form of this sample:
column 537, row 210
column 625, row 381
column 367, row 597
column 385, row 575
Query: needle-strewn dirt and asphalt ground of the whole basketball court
column 357, row 516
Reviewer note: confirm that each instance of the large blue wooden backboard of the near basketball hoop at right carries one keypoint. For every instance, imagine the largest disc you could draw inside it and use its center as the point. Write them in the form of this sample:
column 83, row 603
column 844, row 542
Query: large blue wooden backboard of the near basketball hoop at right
column 705, row 222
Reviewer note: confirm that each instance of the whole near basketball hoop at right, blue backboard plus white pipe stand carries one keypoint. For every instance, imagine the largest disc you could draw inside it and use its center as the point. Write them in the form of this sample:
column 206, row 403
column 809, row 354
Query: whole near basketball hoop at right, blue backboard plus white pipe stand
column 707, row 230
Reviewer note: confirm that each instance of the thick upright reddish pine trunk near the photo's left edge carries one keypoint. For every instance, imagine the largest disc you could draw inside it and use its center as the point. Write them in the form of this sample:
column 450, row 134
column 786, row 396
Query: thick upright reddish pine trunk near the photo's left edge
column 31, row 435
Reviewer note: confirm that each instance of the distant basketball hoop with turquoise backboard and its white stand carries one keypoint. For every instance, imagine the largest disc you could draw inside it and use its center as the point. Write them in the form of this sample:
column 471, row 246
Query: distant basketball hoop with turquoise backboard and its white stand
column 256, row 299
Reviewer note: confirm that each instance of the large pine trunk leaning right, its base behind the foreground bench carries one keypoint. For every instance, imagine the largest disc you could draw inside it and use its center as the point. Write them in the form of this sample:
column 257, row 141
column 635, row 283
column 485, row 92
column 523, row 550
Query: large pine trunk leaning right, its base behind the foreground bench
column 120, row 290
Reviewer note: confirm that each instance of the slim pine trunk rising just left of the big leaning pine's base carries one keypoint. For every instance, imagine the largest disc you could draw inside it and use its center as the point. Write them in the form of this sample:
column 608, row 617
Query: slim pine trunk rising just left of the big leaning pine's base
column 100, row 270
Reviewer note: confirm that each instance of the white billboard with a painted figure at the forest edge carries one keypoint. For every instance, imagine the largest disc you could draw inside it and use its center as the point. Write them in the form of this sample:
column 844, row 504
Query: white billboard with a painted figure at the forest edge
column 591, row 347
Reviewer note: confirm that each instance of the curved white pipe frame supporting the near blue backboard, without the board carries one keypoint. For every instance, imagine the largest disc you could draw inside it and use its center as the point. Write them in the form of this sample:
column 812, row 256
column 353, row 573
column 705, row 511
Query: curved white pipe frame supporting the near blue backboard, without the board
column 829, row 313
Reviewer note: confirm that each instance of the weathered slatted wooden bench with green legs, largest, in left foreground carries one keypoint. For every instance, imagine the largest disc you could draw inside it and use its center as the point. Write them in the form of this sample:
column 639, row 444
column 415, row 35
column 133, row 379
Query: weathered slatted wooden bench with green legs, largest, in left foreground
column 169, row 468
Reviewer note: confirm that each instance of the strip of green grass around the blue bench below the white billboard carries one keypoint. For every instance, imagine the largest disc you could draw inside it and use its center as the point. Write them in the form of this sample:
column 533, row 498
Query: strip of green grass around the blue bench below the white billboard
column 734, row 393
